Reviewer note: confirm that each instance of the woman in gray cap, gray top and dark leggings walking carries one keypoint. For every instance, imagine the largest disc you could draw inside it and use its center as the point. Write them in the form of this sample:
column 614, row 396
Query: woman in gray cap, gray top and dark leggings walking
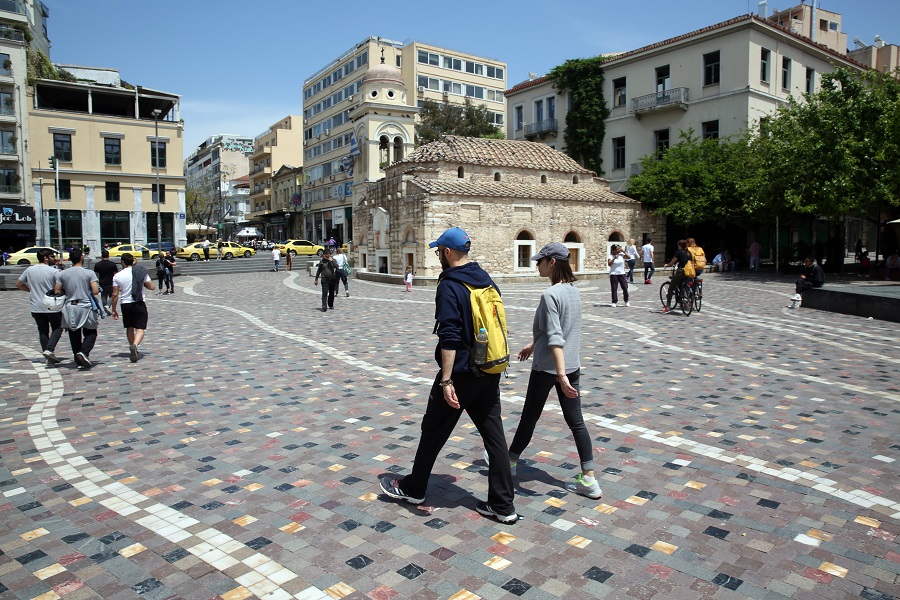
column 556, row 349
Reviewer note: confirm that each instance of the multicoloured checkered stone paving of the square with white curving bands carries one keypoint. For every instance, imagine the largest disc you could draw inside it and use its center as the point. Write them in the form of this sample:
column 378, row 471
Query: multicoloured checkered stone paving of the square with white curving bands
column 745, row 451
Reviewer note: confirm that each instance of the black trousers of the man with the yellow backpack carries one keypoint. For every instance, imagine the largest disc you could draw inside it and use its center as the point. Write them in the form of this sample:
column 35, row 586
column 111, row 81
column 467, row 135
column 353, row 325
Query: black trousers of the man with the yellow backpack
column 480, row 398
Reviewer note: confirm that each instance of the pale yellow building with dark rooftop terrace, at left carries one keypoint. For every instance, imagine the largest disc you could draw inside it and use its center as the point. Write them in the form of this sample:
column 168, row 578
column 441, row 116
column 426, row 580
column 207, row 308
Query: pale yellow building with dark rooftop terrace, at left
column 112, row 143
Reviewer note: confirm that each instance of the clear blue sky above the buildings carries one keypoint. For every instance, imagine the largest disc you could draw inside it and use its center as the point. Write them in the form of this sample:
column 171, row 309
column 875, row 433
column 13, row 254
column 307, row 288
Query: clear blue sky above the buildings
column 239, row 65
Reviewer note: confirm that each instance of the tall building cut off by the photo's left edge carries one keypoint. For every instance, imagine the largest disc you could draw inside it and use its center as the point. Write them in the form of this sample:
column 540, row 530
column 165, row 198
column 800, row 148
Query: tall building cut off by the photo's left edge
column 23, row 29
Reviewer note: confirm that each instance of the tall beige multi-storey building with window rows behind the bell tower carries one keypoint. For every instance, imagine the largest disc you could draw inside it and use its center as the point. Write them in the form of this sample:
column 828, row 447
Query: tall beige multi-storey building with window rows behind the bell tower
column 425, row 72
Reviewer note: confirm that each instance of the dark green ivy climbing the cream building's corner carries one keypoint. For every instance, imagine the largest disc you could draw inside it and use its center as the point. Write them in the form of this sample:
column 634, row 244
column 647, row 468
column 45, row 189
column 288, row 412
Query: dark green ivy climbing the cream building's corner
column 585, row 120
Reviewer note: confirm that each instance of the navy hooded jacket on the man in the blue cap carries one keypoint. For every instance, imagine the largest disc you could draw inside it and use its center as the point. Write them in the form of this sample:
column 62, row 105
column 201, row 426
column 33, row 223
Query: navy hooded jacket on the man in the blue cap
column 453, row 312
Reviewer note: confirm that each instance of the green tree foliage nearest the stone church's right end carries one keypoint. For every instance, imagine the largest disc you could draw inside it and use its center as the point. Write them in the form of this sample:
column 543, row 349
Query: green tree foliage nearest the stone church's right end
column 697, row 180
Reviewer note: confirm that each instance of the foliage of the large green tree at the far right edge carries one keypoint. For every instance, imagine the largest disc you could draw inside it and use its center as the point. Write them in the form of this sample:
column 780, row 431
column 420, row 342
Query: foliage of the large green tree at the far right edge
column 837, row 152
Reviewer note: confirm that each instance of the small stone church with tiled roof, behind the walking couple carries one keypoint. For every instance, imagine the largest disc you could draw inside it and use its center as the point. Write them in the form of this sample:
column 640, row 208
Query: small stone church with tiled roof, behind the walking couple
column 511, row 197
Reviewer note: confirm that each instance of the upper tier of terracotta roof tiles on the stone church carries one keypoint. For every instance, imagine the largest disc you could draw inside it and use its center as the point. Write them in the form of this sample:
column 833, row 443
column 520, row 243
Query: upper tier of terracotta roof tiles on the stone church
column 495, row 153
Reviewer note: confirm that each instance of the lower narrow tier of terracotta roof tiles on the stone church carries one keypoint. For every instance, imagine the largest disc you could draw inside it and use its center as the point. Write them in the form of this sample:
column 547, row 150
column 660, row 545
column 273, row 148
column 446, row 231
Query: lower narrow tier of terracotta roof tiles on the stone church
column 585, row 192
